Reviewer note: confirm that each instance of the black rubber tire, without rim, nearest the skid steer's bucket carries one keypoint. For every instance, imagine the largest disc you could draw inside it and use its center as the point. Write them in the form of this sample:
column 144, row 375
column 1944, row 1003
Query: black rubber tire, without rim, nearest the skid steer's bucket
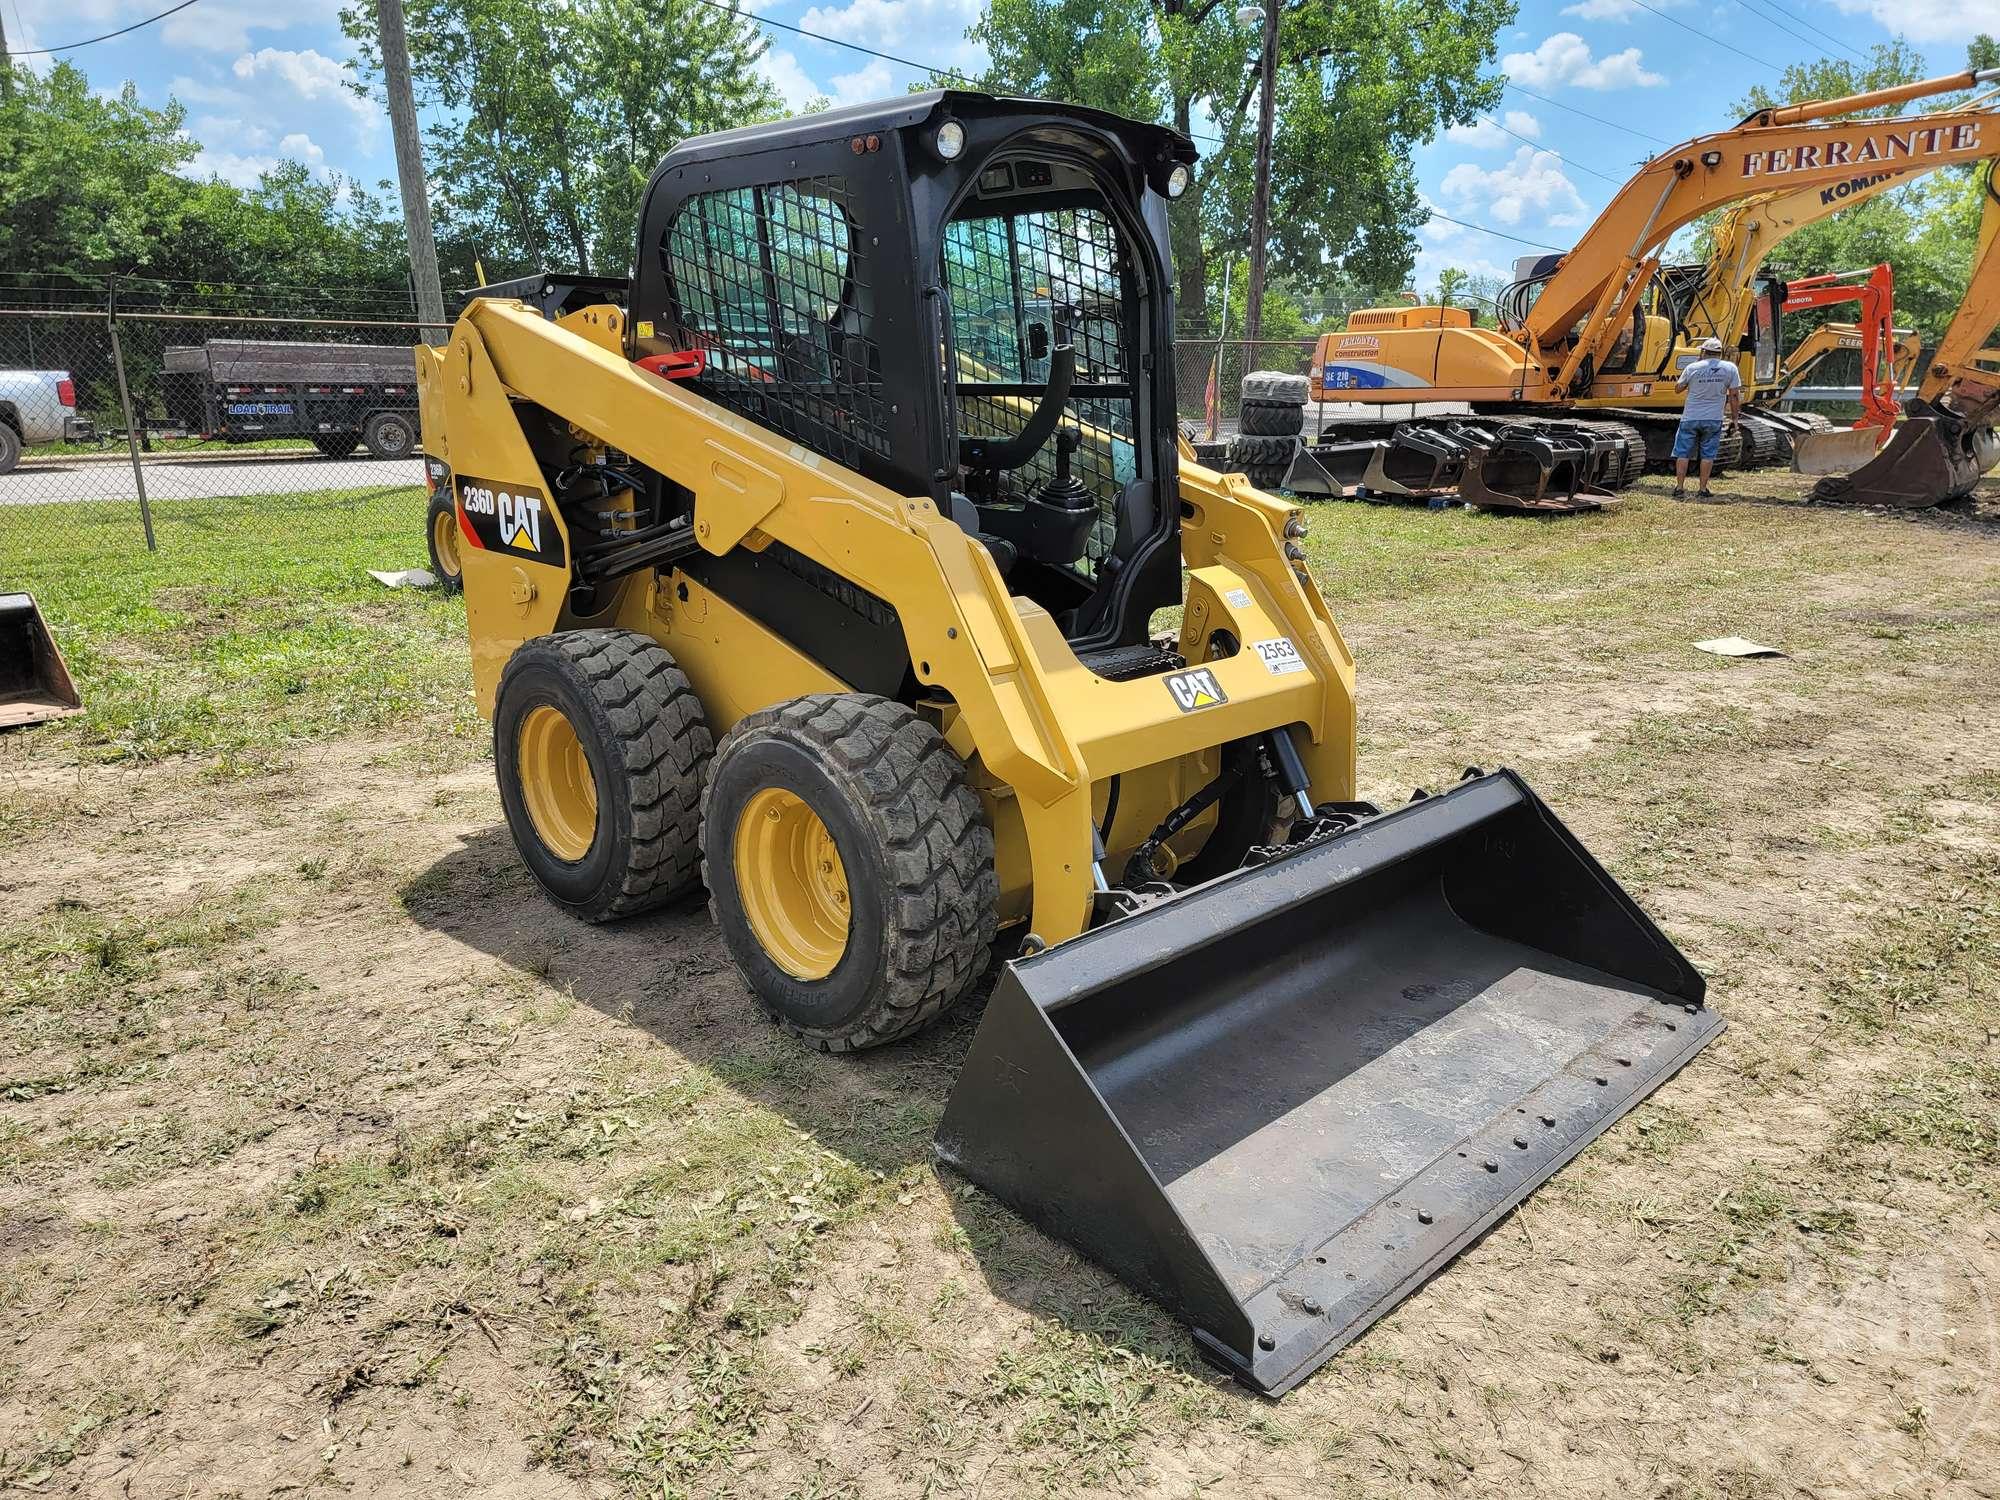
column 917, row 849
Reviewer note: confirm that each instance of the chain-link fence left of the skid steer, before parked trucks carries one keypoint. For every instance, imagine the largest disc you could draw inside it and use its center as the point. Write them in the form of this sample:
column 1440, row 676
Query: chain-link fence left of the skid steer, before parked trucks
column 145, row 419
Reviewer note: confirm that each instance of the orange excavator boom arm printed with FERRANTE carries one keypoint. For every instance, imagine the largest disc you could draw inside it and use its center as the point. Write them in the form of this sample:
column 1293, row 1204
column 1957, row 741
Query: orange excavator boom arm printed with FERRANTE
column 1595, row 283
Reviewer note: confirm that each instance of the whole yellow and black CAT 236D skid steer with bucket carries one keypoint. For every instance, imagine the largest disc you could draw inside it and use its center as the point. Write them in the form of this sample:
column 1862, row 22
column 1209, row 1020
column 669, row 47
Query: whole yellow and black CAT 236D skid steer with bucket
column 849, row 565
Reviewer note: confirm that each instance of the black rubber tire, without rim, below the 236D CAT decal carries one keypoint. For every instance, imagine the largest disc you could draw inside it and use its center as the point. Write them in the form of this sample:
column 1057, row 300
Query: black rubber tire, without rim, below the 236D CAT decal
column 649, row 749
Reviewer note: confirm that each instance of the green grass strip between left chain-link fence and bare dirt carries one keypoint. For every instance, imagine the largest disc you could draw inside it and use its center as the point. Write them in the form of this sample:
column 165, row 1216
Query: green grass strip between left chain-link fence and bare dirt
column 235, row 639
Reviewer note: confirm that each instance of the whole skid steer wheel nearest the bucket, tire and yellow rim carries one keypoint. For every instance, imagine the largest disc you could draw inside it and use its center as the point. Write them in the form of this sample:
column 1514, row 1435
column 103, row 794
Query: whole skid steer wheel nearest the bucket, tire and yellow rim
column 849, row 867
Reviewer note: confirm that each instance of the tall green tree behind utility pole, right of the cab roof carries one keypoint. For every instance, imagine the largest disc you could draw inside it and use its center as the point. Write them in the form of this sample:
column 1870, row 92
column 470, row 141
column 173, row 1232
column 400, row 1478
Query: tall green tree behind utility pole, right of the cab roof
column 1359, row 87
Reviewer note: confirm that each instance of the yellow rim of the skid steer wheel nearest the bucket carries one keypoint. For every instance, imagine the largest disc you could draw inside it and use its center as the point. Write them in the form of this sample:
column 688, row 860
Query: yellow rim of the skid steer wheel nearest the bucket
column 791, row 885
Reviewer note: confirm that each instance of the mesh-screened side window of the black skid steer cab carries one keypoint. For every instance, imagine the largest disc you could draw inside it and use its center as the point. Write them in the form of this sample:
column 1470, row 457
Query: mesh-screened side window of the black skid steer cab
column 773, row 285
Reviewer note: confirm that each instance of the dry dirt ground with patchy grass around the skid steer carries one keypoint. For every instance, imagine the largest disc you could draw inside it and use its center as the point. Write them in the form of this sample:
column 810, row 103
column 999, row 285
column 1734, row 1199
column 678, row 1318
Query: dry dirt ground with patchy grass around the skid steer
column 337, row 1161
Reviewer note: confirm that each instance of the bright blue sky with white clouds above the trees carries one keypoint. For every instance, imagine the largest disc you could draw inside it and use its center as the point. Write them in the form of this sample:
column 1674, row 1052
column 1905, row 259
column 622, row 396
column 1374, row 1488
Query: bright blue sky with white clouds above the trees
column 265, row 79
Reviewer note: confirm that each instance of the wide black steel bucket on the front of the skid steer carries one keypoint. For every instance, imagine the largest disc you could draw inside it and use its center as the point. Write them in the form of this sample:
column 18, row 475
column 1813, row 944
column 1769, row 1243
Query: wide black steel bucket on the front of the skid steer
column 1281, row 1101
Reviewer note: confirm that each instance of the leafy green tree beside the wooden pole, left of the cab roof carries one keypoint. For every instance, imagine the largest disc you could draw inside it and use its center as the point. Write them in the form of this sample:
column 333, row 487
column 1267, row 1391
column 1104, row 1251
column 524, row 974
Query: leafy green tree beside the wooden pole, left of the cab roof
column 555, row 115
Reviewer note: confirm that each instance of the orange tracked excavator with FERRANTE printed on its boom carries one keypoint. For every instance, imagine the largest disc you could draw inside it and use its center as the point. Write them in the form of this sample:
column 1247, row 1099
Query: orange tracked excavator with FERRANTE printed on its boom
column 1583, row 333
